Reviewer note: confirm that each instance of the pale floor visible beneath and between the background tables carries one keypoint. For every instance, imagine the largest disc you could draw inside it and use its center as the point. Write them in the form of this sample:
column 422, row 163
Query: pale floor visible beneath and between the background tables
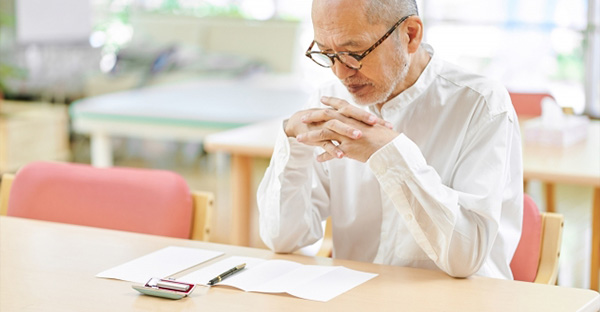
column 202, row 173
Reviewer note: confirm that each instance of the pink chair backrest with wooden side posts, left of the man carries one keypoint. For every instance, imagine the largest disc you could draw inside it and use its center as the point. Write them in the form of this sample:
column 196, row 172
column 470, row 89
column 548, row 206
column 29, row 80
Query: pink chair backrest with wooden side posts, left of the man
column 140, row 200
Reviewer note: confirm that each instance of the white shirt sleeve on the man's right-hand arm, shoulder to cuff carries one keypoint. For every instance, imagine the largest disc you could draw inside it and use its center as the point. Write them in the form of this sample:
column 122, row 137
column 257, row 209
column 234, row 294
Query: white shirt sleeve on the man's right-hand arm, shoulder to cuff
column 455, row 222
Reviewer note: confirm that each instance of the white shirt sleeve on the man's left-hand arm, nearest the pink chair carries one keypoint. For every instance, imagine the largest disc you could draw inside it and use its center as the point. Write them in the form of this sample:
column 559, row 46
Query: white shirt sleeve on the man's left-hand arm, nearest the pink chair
column 292, row 197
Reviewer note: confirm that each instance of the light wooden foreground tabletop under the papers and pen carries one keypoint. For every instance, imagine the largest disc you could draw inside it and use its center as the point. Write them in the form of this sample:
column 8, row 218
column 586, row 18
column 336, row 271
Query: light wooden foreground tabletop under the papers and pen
column 49, row 266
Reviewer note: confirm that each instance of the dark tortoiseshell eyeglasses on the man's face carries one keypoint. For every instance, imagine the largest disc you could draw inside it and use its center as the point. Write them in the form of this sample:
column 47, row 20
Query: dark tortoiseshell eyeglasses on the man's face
column 351, row 60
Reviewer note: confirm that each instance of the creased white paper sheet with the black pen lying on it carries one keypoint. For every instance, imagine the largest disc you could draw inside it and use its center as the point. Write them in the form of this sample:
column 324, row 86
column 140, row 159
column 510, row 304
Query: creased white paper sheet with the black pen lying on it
column 312, row 282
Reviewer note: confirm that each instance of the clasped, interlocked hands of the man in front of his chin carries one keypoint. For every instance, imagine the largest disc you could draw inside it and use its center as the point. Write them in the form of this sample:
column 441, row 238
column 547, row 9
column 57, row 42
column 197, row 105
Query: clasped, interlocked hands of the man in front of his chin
column 342, row 130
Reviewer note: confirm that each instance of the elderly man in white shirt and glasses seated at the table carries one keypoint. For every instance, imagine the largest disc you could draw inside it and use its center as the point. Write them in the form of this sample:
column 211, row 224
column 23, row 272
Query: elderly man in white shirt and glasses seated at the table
column 417, row 162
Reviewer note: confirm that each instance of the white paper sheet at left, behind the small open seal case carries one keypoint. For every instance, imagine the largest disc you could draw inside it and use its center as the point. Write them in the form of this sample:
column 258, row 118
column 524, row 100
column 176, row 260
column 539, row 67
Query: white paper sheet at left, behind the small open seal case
column 161, row 263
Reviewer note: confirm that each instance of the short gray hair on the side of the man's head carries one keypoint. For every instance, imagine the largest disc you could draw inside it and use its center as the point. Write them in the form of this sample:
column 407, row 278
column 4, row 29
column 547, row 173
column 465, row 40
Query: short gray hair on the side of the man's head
column 388, row 12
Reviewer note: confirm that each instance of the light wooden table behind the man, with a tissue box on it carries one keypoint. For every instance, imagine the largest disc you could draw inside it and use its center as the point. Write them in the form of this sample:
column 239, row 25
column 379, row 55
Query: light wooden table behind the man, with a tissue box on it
column 578, row 164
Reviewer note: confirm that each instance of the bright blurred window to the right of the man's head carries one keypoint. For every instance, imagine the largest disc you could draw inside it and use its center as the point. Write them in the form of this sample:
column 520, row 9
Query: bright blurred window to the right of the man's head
column 528, row 45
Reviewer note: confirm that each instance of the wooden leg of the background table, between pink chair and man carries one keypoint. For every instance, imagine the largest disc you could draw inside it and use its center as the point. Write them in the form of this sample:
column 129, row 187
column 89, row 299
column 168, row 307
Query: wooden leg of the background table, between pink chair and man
column 241, row 188
